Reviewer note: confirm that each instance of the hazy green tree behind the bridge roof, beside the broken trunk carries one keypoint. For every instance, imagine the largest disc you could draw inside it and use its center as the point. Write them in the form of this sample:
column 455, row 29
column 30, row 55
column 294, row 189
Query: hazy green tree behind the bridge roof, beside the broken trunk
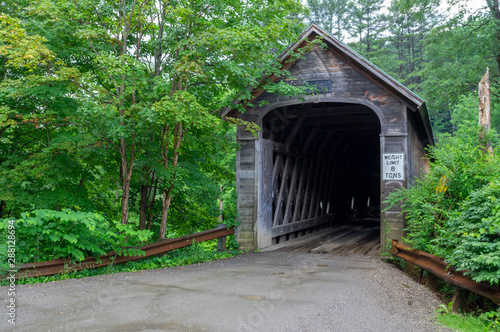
column 457, row 54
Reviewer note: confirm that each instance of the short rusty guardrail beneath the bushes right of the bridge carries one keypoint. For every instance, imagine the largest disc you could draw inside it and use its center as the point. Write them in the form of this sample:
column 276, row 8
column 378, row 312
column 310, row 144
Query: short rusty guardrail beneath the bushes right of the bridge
column 437, row 266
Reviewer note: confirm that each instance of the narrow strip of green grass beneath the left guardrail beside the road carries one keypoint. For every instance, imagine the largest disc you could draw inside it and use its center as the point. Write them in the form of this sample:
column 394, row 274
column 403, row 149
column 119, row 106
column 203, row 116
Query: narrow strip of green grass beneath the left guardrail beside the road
column 194, row 254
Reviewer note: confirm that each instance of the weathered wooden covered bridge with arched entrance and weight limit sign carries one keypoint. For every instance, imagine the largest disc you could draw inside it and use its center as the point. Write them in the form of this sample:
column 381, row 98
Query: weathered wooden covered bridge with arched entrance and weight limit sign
column 330, row 157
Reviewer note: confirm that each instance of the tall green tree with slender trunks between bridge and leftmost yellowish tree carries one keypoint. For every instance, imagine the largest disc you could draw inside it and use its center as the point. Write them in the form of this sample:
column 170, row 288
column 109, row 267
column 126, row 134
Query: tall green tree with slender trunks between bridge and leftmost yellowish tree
column 148, row 80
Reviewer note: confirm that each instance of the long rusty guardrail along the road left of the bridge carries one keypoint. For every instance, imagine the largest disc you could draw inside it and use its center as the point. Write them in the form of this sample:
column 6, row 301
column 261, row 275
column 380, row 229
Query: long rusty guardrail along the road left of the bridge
column 65, row 265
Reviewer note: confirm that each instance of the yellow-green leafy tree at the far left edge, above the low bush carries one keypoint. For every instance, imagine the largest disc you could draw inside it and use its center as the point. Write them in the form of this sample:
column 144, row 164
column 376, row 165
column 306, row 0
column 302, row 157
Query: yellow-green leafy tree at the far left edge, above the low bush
column 37, row 130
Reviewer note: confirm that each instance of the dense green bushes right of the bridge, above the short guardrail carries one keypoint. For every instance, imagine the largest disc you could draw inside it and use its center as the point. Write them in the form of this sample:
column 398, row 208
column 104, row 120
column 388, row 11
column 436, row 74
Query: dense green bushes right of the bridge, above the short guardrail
column 453, row 212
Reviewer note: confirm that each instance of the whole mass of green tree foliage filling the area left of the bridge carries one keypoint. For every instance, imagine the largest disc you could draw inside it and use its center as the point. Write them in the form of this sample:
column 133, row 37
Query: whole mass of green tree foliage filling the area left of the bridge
column 93, row 96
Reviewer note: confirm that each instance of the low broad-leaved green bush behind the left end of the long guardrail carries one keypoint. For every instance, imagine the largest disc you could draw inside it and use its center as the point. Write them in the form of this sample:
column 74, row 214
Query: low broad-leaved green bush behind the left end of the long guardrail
column 43, row 235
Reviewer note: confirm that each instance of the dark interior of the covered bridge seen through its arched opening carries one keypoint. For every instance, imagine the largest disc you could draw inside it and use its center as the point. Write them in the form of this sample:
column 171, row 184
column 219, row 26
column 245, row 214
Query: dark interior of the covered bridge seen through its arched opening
column 326, row 167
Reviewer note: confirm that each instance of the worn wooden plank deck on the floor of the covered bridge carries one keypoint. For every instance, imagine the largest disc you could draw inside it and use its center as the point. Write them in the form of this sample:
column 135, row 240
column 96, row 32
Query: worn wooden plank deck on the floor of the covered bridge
column 359, row 237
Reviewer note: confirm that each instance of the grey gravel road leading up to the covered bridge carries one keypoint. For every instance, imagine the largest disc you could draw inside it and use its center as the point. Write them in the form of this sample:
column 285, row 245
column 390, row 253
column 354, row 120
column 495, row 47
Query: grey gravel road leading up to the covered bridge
column 272, row 291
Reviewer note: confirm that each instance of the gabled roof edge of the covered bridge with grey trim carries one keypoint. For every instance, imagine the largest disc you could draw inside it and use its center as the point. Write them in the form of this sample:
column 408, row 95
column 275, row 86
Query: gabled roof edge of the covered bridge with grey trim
column 359, row 63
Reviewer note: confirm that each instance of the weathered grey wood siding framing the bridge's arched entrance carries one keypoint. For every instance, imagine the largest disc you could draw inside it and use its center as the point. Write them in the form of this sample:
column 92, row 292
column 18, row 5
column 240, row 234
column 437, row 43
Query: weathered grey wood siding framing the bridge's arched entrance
column 348, row 85
